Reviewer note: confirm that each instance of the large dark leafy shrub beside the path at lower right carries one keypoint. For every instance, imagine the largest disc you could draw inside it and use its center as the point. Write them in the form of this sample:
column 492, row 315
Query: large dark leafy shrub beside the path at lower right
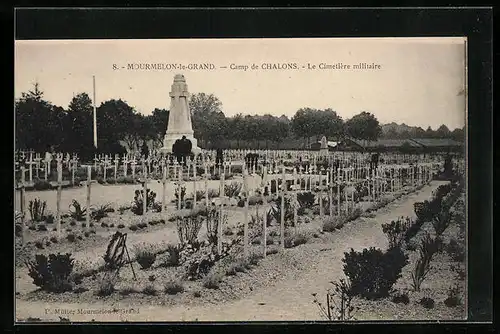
column 372, row 273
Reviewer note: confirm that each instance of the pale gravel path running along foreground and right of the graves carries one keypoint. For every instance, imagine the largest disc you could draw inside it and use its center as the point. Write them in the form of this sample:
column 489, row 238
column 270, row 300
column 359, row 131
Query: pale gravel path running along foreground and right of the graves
column 288, row 298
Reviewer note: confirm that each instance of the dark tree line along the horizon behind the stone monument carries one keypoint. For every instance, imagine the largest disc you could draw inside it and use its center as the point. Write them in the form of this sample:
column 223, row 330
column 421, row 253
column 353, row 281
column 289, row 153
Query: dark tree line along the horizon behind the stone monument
column 41, row 125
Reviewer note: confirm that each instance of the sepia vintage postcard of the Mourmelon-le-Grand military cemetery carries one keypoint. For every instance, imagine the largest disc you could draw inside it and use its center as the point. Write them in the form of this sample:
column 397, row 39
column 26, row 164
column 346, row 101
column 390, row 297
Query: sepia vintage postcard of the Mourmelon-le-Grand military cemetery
column 290, row 179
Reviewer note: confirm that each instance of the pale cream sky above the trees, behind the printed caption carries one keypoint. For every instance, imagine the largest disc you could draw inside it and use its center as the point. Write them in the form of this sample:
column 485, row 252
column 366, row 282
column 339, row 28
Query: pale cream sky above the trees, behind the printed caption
column 420, row 81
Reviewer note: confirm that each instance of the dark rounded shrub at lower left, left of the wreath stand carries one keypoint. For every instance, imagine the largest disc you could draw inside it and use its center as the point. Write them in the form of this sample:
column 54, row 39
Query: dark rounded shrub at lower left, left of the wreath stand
column 52, row 274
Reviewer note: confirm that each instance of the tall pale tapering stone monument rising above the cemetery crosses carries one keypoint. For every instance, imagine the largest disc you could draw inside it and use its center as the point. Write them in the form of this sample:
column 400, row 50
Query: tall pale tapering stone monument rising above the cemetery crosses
column 179, row 118
